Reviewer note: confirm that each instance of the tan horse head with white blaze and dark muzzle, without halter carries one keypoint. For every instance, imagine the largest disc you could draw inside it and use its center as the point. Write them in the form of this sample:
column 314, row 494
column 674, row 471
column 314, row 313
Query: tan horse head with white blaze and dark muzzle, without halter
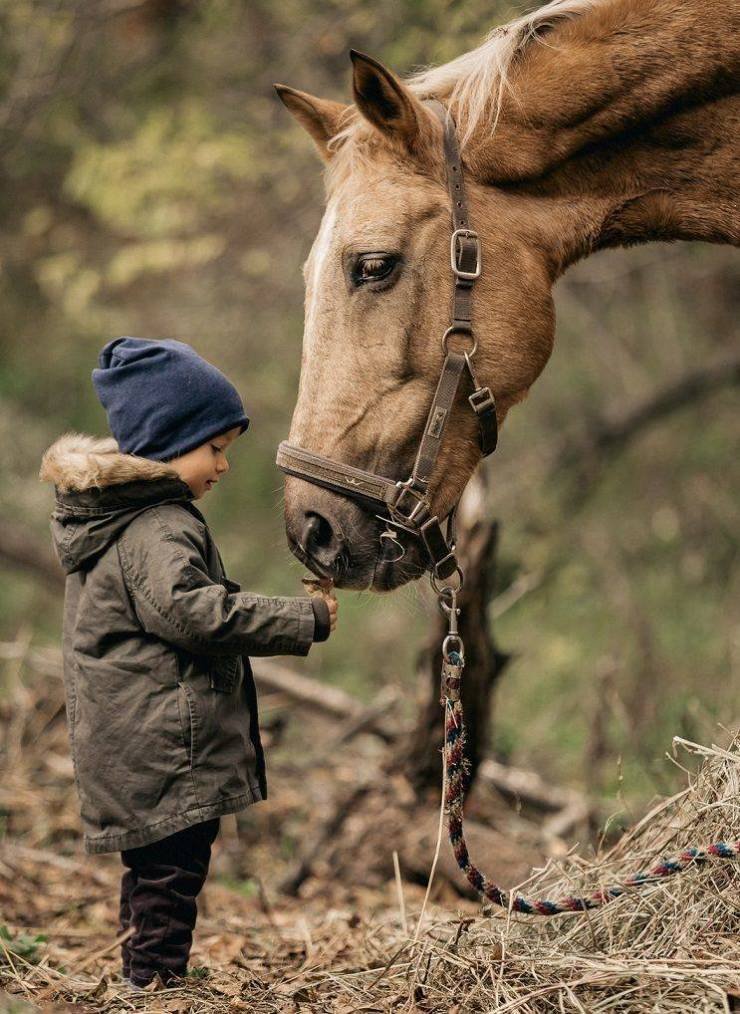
column 379, row 297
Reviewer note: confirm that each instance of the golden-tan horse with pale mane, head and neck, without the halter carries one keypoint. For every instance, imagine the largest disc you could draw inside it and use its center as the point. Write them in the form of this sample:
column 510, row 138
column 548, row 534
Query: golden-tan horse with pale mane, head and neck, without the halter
column 586, row 125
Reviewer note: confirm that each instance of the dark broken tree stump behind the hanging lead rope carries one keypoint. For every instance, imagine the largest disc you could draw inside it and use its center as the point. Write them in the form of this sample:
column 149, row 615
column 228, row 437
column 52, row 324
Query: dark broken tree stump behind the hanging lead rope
column 421, row 757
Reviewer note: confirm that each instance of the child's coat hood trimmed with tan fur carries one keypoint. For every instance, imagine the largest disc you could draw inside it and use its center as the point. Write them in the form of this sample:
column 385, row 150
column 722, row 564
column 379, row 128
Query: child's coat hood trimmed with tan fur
column 100, row 491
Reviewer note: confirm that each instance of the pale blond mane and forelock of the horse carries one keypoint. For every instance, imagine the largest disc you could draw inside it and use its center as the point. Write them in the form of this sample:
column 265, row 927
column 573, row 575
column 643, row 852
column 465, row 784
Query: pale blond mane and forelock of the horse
column 473, row 86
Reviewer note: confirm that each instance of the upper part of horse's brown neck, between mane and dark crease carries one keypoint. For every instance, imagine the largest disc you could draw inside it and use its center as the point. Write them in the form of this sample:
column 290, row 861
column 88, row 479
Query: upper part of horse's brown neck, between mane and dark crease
column 616, row 68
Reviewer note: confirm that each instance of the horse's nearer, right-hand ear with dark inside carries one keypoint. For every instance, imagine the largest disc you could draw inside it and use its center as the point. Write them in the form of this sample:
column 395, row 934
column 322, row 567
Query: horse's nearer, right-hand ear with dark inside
column 384, row 100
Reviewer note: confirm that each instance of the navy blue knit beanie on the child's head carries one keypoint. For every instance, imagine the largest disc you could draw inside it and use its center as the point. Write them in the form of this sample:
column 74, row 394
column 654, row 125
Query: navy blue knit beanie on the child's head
column 163, row 399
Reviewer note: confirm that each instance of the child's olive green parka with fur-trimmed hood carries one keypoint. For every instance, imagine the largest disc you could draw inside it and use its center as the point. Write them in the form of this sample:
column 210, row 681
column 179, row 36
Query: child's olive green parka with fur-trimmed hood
column 161, row 698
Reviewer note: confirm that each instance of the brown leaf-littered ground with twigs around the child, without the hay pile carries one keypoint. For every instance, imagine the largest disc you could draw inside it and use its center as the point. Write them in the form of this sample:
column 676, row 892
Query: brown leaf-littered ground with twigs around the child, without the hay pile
column 256, row 948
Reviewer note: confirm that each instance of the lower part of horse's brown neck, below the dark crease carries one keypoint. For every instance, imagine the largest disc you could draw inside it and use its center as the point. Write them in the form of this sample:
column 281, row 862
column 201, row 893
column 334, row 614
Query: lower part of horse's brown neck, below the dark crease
column 675, row 180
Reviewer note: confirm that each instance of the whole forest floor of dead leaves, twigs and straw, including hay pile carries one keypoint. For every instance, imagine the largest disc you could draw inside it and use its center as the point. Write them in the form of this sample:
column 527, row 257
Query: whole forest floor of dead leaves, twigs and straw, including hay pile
column 316, row 898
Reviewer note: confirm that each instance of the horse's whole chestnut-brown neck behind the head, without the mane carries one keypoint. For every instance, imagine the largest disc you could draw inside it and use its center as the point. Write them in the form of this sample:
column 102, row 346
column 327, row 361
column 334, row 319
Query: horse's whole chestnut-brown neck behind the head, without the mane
column 622, row 129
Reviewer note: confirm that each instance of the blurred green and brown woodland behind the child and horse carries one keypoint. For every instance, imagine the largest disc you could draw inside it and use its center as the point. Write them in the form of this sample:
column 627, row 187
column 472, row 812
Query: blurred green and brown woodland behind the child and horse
column 152, row 184
